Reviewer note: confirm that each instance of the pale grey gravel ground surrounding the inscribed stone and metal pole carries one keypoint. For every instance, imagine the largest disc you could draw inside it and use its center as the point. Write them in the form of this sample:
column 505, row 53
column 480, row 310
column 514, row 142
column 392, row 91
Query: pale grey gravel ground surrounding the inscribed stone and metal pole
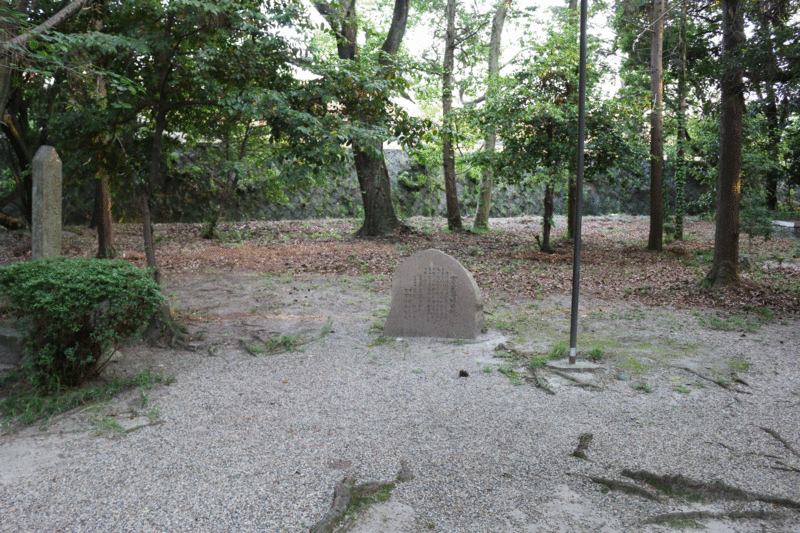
column 248, row 442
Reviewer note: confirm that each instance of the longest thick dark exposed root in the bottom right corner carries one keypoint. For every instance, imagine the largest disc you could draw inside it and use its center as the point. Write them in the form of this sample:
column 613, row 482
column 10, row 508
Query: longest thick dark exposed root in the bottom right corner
column 681, row 486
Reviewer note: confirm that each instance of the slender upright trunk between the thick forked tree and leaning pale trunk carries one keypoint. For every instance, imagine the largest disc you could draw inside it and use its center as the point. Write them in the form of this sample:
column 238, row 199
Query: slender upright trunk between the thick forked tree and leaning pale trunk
column 448, row 154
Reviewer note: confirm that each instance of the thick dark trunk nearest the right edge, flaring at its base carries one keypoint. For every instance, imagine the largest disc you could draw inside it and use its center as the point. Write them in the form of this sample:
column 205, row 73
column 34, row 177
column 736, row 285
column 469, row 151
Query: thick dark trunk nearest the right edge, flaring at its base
column 725, row 269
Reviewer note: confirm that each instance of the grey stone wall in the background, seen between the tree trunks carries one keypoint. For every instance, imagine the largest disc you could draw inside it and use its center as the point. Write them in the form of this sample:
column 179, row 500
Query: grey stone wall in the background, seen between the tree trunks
column 416, row 193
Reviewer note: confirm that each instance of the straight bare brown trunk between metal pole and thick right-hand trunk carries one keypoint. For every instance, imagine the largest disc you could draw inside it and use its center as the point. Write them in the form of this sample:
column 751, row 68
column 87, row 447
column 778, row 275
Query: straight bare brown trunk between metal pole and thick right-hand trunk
column 656, row 237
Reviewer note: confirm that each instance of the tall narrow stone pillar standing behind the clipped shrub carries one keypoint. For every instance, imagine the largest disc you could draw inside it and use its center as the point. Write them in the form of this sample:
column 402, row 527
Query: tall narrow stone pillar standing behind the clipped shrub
column 46, row 212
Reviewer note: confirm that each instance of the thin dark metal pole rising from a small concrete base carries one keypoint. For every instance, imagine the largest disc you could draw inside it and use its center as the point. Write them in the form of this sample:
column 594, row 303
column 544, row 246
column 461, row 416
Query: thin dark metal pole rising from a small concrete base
column 576, row 260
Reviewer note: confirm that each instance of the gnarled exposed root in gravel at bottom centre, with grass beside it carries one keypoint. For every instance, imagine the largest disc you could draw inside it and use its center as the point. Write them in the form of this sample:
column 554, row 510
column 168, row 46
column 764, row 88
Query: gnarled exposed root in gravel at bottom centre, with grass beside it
column 349, row 497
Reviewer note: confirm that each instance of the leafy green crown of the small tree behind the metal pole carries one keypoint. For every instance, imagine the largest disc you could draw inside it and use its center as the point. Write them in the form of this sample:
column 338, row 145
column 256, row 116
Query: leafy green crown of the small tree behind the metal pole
column 535, row 114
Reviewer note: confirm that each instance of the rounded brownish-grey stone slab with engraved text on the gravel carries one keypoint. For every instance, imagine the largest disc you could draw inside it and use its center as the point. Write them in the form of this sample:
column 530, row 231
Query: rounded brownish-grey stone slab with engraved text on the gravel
column 433, row 295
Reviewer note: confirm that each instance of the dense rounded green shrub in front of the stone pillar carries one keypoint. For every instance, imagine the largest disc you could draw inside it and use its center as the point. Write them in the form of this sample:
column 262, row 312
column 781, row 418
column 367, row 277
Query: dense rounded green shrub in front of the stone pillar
column 76, row 312
